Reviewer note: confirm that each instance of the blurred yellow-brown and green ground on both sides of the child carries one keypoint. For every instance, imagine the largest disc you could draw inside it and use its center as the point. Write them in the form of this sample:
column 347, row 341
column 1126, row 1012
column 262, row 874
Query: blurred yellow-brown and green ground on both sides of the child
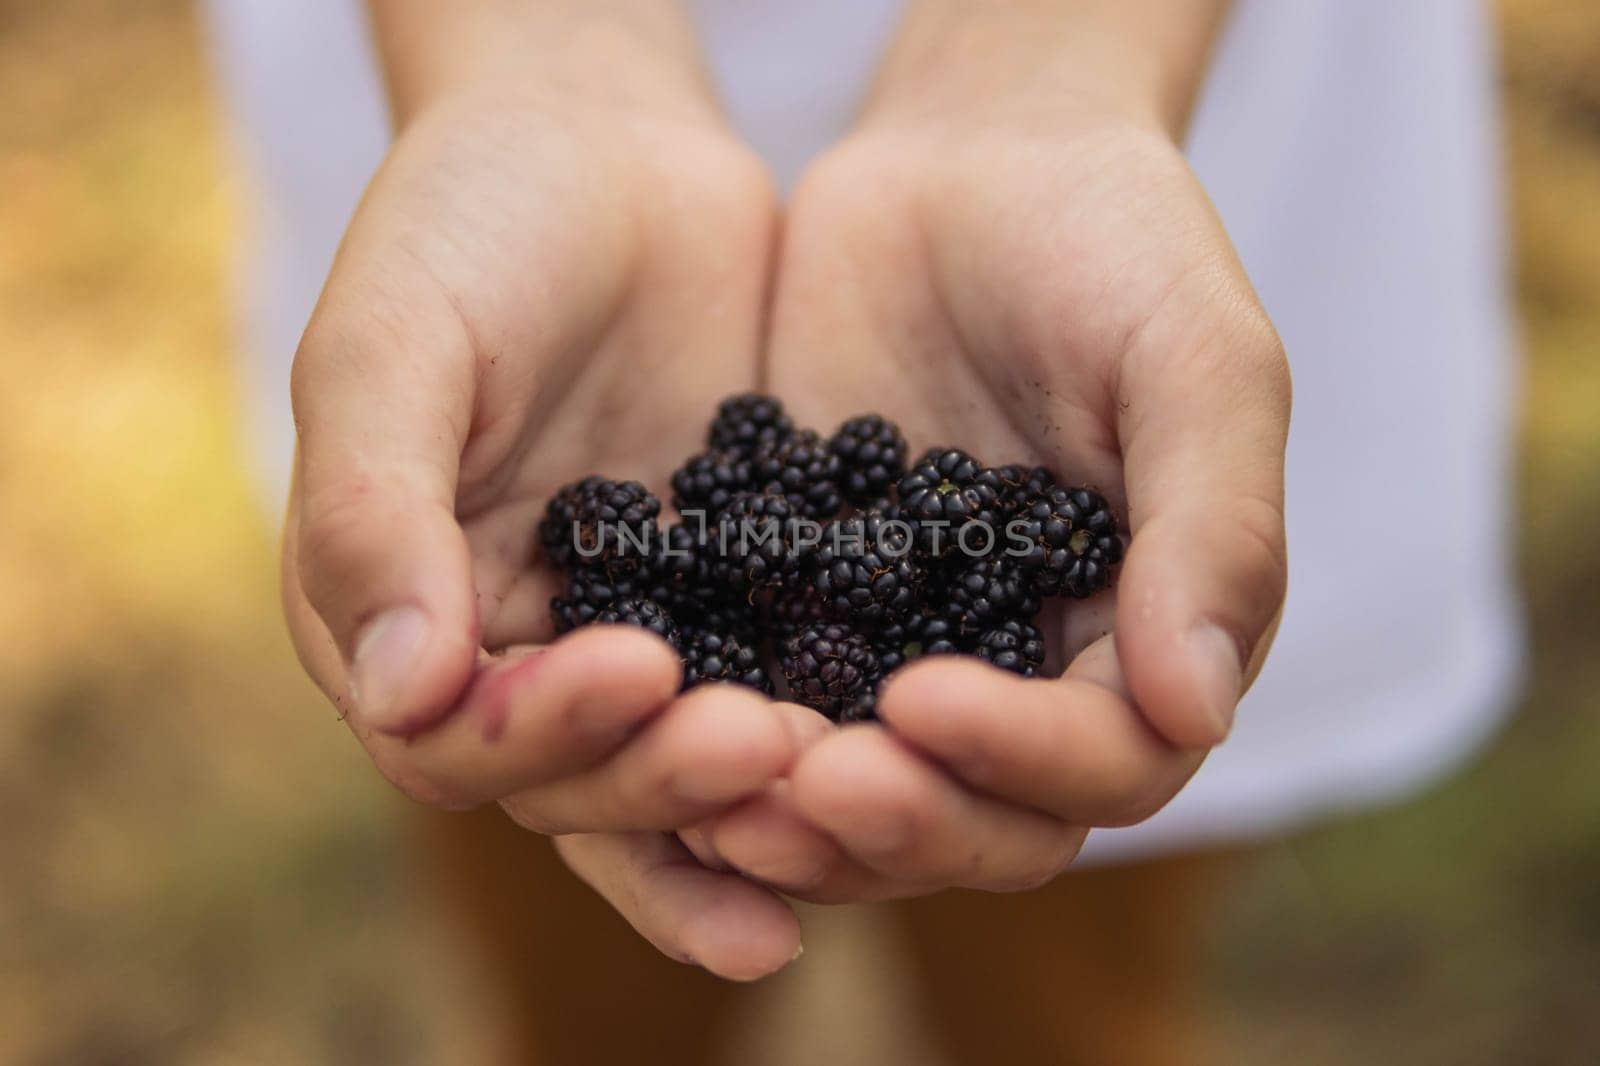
column 196, row 867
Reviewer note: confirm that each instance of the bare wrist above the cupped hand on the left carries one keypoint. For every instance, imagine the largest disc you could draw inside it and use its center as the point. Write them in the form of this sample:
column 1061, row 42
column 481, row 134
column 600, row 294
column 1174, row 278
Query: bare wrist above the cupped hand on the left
column 636, row 57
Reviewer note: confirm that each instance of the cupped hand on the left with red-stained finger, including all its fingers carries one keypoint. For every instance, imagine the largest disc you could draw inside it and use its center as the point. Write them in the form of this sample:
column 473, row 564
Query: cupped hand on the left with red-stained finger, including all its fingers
column 514, row 308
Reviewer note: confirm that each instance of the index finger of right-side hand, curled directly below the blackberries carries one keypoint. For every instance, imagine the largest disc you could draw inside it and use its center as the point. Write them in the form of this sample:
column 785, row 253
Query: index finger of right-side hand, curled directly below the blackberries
column 1074, row 748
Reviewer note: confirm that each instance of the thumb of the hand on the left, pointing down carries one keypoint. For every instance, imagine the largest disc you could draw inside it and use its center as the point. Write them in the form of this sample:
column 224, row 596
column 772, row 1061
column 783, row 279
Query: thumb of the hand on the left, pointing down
column 383, row 399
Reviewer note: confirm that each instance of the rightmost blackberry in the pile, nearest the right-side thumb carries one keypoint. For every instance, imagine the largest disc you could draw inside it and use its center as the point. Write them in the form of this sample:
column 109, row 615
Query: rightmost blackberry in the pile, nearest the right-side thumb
column 1074, row 542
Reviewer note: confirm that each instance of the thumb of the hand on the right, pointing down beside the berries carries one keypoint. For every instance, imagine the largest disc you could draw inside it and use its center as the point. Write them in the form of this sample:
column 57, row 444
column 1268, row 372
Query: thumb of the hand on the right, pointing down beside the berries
column 1206, row 577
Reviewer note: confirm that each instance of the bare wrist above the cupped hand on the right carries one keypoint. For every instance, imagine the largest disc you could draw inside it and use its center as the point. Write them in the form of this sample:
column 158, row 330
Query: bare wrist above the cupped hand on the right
column 1142, row 62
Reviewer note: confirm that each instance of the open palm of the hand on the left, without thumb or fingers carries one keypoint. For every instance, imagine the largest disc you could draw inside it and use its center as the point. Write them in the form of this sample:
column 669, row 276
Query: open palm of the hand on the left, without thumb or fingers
column 558, row 321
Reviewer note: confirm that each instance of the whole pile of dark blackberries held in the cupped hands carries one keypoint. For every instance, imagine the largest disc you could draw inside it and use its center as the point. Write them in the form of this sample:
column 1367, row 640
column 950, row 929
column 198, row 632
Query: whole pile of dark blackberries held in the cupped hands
column 815, row 567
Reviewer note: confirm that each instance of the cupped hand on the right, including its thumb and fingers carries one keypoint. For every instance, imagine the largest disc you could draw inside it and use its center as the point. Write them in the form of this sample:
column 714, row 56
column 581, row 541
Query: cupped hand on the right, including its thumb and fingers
column 1046, row 287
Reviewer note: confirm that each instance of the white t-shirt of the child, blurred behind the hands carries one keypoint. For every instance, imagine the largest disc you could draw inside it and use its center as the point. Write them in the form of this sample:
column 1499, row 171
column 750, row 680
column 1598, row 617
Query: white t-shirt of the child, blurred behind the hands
column 1353, row 151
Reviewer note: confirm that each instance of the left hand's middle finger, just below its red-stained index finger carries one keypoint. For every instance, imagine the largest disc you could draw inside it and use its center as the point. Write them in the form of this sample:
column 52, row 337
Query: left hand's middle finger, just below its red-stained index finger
column 708, row 751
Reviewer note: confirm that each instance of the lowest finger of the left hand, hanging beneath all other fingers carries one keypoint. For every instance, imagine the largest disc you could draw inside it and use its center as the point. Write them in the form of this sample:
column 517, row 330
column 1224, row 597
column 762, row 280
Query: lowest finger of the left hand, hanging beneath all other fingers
column 722, row 923
